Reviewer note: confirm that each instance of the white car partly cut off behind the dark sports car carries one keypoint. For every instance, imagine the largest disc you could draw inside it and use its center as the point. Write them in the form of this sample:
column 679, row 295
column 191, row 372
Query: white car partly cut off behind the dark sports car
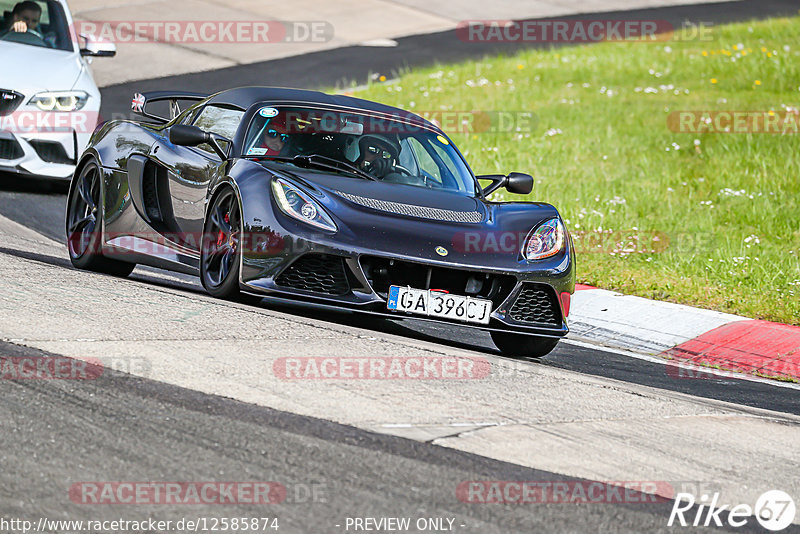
column 49, row 103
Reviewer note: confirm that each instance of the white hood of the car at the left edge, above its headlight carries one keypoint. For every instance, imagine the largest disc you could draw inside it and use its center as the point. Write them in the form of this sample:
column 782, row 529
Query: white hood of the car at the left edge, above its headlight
column 30, row 69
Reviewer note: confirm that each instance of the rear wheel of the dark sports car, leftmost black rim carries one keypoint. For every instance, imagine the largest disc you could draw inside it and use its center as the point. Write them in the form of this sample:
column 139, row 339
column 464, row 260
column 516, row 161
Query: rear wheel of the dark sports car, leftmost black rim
column 84, row 225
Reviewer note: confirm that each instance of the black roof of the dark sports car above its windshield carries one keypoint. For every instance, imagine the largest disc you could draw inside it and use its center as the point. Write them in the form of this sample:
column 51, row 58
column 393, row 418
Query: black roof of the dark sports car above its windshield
column 244, row 97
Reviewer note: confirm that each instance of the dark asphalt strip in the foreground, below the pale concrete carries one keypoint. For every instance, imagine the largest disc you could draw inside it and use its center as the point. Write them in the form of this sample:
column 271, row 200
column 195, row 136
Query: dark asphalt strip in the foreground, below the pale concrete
column 144, row 430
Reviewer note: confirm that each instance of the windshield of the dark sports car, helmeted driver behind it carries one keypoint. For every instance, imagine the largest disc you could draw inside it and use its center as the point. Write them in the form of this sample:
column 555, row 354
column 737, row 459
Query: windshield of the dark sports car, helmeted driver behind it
column 357, row 144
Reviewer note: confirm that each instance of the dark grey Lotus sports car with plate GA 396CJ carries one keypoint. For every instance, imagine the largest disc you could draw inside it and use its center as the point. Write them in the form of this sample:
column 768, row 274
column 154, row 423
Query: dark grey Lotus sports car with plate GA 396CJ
column 328, row 199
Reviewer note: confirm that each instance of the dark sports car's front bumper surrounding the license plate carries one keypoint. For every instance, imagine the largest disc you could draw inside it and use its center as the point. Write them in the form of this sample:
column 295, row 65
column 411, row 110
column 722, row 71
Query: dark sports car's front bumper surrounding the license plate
column 526, row 301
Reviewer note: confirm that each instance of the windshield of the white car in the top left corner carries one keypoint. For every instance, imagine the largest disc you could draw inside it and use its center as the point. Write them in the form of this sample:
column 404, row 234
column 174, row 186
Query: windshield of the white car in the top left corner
column 35, row 23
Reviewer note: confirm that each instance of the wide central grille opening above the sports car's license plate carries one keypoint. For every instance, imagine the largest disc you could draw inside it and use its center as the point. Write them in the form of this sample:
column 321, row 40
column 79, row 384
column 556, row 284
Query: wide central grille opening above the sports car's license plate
column 382, row 273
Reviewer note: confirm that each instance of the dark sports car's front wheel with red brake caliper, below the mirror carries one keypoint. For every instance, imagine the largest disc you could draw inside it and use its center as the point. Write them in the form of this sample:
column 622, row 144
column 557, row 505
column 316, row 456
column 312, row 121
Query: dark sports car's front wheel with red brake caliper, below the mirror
column 221, row 251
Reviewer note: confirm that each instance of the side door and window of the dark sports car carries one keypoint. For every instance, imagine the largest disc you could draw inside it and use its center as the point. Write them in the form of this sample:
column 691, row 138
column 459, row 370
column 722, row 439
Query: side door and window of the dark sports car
column 190, row 169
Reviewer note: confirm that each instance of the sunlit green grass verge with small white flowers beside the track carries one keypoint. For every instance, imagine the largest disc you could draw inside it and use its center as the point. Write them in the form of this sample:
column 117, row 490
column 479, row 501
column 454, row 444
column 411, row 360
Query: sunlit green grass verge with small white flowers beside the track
column 726, row 203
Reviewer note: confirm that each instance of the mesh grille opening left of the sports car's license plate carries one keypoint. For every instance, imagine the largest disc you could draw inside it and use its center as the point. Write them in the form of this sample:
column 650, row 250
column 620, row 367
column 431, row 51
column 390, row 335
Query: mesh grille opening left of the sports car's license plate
column 320, row 273
